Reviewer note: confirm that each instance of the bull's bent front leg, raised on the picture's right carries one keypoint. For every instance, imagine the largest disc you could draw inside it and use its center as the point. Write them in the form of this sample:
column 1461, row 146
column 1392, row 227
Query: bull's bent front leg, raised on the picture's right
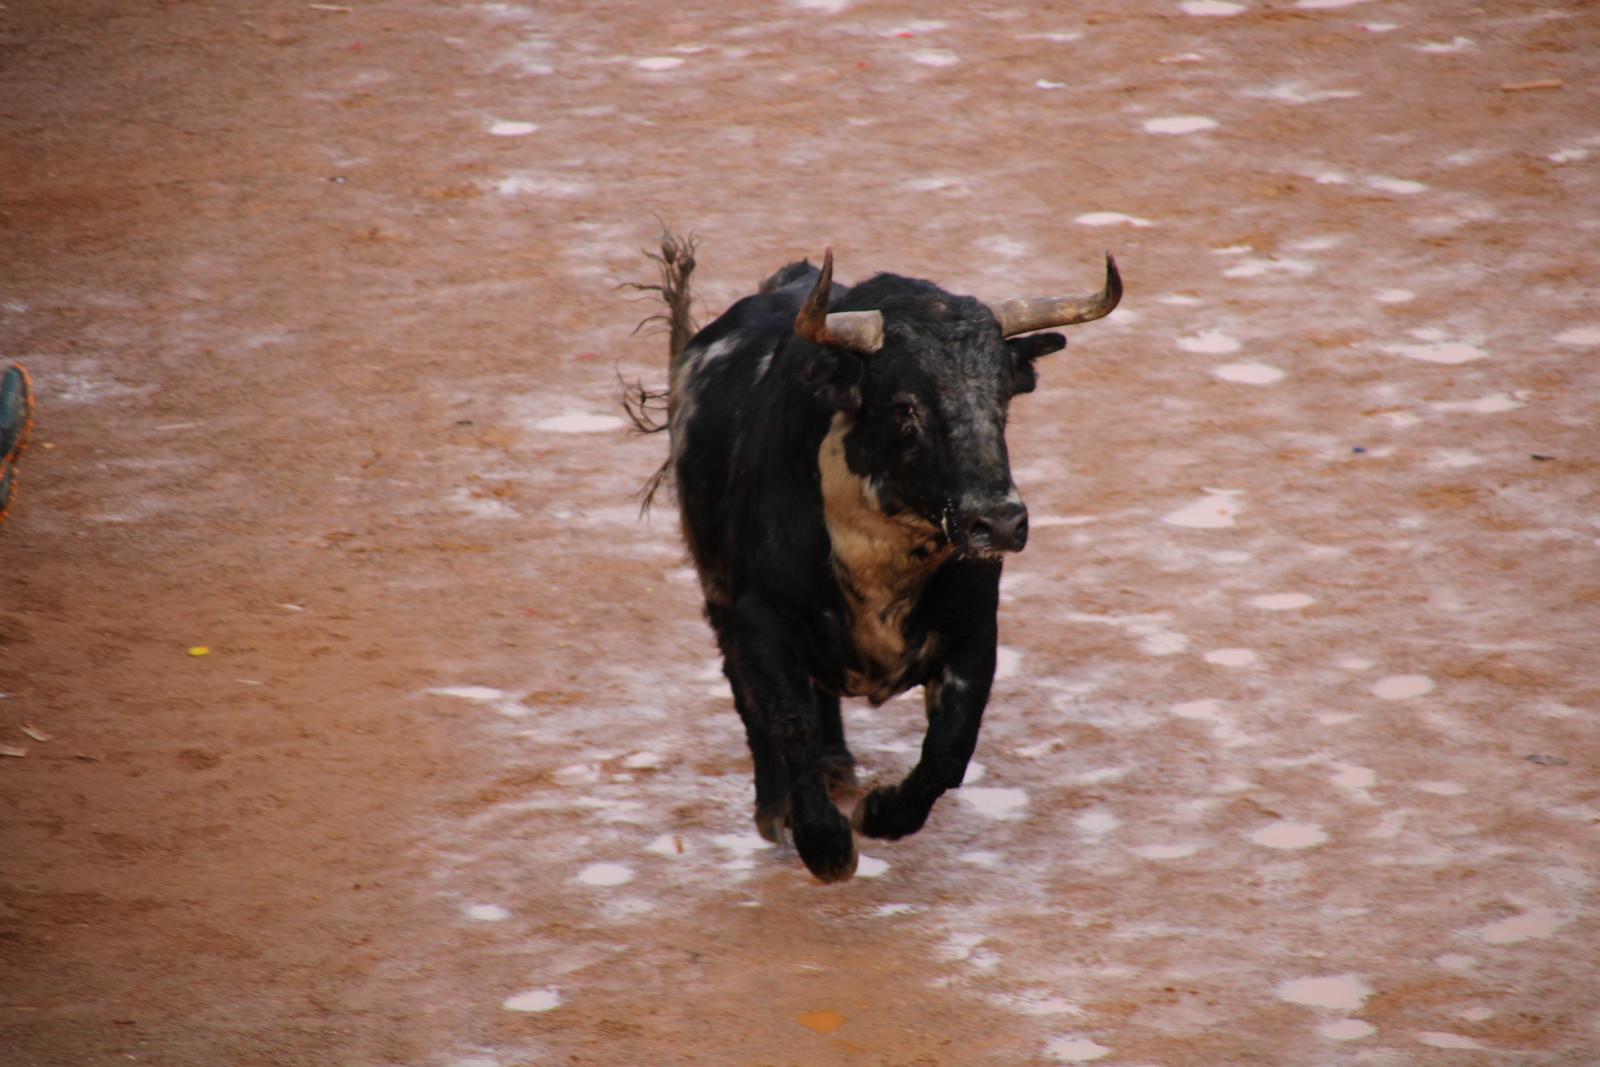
column 956, row 701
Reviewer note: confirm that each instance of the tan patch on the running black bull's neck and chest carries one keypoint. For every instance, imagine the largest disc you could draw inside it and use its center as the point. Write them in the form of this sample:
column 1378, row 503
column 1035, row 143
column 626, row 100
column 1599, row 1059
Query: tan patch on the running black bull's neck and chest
column 882, row 564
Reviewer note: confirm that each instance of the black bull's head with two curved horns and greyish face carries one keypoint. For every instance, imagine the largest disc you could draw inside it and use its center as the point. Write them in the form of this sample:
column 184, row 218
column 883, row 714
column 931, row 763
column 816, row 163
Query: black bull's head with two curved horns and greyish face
column 929, row 410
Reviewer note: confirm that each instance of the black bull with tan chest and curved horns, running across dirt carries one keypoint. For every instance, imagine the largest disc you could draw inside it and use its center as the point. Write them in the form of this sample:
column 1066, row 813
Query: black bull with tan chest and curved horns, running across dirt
column 842, row 476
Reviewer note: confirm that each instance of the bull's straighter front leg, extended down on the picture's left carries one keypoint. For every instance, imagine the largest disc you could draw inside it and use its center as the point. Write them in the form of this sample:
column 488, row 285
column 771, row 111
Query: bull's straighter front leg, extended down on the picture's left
column 778, row 689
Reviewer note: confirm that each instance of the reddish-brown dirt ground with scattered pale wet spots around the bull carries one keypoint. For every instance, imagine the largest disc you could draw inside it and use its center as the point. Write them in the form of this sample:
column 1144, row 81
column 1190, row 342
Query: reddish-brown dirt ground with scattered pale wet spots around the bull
column 1292, row 759
